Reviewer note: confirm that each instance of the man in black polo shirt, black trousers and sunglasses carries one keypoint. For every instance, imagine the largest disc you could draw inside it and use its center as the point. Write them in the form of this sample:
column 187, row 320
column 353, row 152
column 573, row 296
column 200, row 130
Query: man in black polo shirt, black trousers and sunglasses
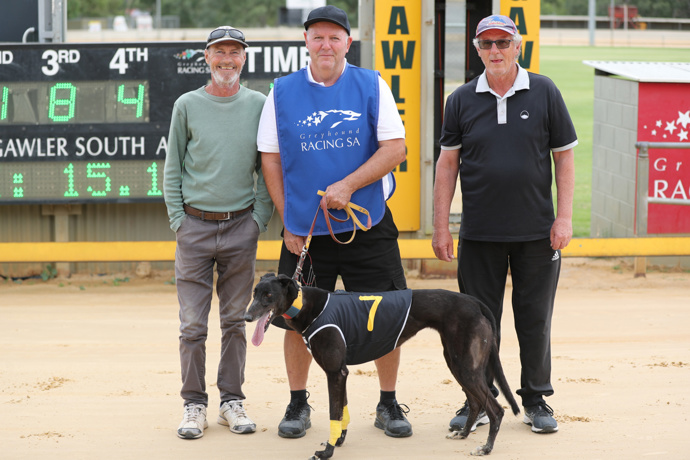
column 500, row 132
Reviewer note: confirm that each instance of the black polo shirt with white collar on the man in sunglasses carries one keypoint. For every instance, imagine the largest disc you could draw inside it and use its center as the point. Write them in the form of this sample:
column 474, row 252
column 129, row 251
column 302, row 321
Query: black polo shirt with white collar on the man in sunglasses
column 505, row 155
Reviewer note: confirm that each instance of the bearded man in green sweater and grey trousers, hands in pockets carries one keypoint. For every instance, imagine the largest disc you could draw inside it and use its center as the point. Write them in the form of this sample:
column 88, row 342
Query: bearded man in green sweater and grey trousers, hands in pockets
column 218, row 204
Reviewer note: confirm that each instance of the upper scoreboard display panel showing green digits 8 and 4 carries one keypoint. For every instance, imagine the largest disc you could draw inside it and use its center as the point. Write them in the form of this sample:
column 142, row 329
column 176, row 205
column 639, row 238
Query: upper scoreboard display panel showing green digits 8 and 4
column 74, row 102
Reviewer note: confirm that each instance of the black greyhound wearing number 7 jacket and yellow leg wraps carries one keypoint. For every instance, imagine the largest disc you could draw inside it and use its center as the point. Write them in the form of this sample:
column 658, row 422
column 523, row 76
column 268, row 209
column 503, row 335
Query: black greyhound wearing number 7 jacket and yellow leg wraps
column 466, row 326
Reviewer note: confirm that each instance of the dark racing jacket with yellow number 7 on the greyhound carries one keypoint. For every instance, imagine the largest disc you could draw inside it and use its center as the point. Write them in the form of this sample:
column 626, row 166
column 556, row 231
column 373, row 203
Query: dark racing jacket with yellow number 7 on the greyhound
column 369, row 323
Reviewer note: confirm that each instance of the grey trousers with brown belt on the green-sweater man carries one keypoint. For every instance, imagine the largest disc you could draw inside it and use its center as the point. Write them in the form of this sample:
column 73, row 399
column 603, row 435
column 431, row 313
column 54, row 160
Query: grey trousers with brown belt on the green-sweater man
column 231, row 246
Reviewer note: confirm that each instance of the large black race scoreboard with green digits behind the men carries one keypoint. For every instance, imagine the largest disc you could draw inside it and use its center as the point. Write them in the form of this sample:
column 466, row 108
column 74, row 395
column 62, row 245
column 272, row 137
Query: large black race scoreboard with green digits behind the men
column 89, row 122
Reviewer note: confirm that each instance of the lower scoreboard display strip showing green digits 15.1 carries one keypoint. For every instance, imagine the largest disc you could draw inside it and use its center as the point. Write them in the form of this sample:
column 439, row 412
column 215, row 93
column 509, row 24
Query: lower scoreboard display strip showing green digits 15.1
column 77, row 181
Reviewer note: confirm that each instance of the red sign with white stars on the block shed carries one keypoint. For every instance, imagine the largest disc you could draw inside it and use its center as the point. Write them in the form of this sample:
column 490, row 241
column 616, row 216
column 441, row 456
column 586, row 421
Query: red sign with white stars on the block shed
column 664, row 116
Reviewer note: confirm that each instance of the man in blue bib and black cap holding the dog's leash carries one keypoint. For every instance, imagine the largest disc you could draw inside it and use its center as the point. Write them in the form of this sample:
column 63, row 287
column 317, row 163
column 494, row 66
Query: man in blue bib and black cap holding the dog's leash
column 334, row 127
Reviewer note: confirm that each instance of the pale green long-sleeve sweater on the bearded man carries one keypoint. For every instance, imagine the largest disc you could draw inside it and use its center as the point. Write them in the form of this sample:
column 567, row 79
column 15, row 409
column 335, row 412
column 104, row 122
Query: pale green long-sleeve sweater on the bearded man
column 212, row 161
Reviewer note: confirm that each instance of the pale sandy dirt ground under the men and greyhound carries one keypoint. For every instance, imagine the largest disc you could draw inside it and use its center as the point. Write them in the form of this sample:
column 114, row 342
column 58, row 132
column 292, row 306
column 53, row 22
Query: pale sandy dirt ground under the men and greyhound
column 89, row 369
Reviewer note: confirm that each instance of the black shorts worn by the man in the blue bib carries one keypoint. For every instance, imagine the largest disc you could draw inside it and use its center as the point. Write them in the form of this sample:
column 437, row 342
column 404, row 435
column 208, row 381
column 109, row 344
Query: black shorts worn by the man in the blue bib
column 370, row 263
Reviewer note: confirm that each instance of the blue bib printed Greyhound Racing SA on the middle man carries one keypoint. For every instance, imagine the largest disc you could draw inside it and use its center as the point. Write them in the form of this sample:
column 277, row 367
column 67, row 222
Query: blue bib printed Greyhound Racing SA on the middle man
column 324, row 134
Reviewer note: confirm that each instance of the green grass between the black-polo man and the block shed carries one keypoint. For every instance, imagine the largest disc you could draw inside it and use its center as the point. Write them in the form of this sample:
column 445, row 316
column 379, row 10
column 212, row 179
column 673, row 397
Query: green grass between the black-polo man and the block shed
column 563, row 64
